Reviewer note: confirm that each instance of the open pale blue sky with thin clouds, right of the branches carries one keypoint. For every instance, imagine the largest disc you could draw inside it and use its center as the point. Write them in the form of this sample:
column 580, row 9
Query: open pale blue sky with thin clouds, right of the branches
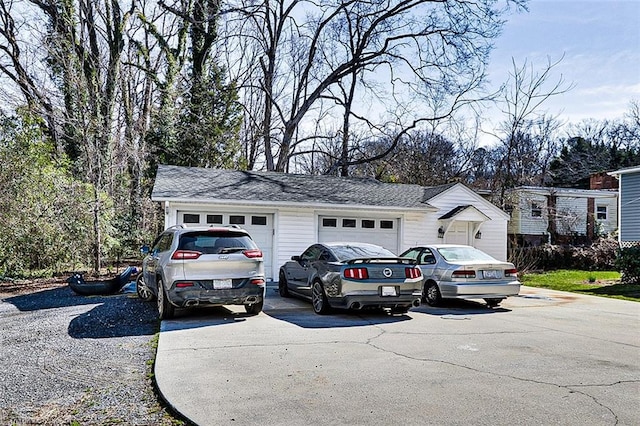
column 598, row 42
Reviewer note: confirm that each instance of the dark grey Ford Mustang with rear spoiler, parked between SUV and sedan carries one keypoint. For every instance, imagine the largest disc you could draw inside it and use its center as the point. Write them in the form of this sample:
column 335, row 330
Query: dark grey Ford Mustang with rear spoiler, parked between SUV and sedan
column 352, row 276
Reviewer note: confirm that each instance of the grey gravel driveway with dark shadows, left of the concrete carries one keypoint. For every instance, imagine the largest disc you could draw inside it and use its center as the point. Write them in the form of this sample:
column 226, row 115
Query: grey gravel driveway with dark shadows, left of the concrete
column 69, row 359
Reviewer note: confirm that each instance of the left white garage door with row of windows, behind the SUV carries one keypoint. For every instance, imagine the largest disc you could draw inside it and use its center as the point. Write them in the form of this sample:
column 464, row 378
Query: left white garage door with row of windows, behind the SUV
column 258, row 225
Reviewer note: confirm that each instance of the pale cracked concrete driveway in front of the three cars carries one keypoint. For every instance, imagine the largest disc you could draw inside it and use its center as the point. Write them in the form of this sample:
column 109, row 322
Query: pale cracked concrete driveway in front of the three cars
column 541, row 358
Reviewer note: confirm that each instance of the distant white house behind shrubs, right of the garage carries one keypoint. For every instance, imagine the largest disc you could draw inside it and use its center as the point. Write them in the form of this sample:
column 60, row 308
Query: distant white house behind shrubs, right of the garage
column 561, row 215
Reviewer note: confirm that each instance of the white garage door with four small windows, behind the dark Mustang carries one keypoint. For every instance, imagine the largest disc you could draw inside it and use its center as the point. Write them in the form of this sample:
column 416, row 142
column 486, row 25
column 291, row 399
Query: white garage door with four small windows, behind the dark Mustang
column 383, row 232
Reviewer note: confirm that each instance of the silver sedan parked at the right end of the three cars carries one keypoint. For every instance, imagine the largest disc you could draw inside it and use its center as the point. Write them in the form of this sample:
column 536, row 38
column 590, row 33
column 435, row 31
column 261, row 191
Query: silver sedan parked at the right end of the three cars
column 463, row 272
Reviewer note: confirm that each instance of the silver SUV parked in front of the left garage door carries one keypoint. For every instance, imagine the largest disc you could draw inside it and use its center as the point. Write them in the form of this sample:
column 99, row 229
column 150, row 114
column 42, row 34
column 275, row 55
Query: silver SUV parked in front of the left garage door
column 203, row 266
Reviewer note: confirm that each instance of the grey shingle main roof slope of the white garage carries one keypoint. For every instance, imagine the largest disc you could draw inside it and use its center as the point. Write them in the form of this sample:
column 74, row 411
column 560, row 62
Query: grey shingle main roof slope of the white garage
column 199, row 184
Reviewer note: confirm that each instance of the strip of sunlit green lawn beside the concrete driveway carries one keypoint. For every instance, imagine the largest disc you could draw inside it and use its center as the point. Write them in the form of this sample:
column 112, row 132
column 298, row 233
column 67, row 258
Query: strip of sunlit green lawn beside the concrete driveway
column 597, row 283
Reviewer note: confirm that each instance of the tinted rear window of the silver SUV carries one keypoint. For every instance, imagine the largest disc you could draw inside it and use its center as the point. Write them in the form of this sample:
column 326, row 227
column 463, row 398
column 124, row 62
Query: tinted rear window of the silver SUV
column 212, row 242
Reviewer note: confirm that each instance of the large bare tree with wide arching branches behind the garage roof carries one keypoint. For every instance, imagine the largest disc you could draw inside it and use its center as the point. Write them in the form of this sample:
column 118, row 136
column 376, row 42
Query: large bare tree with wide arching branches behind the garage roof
column 408, row 51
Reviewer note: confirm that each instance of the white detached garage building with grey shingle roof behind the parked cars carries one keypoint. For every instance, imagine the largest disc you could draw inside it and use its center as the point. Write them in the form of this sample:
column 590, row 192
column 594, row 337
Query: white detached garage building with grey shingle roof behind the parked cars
column 285, row 213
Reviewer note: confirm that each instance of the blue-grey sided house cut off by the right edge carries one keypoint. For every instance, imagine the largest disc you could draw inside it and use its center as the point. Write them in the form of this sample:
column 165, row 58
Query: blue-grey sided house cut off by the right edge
column 629, row 205
